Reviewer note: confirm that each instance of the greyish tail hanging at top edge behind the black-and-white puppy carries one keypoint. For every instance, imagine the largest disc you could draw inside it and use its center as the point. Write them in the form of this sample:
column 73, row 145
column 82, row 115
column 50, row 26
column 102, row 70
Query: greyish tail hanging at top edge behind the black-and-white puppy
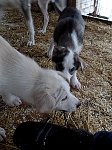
column 59, row 5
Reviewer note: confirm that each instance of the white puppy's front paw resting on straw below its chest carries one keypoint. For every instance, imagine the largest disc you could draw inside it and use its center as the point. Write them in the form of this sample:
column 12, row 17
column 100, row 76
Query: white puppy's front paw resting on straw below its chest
column 11, row 100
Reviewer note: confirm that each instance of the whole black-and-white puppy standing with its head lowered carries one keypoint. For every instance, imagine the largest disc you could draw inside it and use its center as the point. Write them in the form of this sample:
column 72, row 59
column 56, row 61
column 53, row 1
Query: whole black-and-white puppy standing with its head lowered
column 67, row 43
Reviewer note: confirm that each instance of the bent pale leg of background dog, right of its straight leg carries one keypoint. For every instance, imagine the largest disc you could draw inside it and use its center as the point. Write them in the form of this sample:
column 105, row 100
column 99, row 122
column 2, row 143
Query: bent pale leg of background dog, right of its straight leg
column 43, row 4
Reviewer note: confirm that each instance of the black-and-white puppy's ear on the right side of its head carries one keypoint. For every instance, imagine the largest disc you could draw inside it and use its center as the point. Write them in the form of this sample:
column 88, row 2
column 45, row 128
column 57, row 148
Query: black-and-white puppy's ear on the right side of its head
column 79, row 63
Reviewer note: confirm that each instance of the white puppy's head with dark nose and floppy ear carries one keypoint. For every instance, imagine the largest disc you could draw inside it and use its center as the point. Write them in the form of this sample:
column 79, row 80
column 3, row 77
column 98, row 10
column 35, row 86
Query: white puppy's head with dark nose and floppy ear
column 52, row 92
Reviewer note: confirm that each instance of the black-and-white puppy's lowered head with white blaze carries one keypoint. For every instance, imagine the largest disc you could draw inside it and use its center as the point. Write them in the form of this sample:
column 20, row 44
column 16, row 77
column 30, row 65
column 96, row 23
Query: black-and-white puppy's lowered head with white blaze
column 67, row 61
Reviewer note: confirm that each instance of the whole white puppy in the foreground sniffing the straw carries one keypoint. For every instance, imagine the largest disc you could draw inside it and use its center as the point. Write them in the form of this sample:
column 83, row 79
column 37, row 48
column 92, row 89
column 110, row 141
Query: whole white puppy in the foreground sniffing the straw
column 22, row 78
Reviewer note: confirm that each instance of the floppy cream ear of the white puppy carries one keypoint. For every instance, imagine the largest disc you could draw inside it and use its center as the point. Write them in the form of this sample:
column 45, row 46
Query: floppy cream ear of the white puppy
column 44, row 102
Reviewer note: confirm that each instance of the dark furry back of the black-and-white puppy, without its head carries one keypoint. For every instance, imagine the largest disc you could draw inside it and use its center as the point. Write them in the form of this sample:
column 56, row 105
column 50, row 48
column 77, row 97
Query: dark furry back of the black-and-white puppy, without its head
column 70, row 21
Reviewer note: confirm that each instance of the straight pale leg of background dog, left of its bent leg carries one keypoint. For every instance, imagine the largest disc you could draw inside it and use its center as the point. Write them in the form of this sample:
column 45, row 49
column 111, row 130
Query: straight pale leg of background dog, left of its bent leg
column 26, row 8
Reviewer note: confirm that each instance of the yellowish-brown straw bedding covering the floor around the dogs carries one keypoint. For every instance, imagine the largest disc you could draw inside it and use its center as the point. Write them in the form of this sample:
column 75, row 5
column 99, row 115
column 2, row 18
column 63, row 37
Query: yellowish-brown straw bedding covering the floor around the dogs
column 95, row 112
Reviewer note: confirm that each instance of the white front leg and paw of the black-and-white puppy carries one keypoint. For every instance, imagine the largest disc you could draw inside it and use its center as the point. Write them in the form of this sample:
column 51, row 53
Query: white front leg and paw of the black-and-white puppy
column 74, row 81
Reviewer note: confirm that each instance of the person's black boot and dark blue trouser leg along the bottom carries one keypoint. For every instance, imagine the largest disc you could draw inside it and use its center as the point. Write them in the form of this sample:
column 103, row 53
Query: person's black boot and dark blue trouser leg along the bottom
column 47, row 136
